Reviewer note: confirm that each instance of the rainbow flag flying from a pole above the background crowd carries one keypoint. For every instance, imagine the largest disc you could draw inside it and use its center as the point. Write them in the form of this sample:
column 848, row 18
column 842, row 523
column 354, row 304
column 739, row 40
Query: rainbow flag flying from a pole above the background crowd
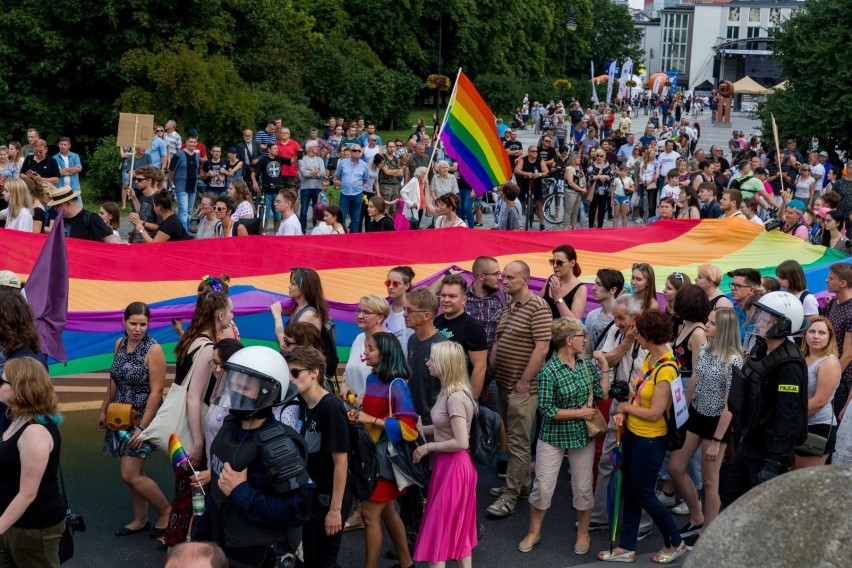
column 470, row 137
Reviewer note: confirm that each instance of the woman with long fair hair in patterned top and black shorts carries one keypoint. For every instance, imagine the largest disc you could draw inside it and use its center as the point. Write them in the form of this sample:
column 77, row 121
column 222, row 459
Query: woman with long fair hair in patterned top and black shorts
column 708, row 425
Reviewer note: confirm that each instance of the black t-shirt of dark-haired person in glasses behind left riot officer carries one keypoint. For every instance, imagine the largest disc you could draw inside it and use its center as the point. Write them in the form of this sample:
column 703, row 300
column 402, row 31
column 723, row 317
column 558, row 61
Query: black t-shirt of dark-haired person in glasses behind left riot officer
column 325, row 429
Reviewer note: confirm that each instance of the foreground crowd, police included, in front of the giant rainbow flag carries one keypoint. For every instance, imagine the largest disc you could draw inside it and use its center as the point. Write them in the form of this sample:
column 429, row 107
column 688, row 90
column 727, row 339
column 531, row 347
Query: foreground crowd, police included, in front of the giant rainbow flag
column 764, row 374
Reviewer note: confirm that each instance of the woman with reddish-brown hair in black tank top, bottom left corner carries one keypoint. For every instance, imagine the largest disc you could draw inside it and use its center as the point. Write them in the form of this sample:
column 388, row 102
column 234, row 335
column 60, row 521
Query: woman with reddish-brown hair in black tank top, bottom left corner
column 33, row 517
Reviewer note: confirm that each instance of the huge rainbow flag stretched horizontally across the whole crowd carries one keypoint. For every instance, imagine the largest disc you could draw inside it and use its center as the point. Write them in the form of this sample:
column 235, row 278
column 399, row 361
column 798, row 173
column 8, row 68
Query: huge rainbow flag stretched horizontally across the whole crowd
column 105, row 278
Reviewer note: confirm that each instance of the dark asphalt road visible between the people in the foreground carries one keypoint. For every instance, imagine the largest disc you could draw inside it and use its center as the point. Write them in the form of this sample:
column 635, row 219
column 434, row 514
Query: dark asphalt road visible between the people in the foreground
column 96, row 491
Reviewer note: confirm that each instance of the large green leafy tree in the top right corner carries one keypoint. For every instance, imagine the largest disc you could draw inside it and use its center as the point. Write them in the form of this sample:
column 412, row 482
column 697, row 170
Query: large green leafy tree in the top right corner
column 816, row 99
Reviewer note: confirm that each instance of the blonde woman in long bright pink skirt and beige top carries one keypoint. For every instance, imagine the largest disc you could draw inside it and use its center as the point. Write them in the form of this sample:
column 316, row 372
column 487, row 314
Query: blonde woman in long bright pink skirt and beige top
column 448, row 530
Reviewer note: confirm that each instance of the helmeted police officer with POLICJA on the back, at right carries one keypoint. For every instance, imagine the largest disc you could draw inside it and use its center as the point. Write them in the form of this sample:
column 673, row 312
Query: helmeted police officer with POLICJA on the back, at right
column 768, row 397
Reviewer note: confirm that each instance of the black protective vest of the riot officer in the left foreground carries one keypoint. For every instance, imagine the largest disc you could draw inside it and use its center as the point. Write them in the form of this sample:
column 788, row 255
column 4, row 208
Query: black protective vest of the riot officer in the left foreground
column 229, row 525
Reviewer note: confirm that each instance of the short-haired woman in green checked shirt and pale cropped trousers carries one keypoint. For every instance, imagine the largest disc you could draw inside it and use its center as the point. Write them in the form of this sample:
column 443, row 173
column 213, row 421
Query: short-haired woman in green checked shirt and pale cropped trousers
column 564, row 386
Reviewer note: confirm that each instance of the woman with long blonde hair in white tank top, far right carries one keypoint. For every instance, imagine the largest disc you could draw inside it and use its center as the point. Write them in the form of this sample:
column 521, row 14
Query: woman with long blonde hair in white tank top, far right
column 820, row 351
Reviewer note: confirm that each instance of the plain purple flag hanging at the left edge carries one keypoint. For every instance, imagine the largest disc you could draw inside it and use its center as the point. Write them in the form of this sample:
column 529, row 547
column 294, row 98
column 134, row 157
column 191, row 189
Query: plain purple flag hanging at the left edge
column 47, row 292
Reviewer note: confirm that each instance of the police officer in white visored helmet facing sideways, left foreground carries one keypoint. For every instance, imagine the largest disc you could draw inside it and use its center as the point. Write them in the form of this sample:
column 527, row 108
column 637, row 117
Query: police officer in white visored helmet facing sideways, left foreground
column 260, row 490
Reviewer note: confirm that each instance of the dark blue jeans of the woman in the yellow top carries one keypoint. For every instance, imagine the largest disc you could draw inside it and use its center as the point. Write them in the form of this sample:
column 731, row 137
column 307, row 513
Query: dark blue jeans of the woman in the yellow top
column 641, row 463
